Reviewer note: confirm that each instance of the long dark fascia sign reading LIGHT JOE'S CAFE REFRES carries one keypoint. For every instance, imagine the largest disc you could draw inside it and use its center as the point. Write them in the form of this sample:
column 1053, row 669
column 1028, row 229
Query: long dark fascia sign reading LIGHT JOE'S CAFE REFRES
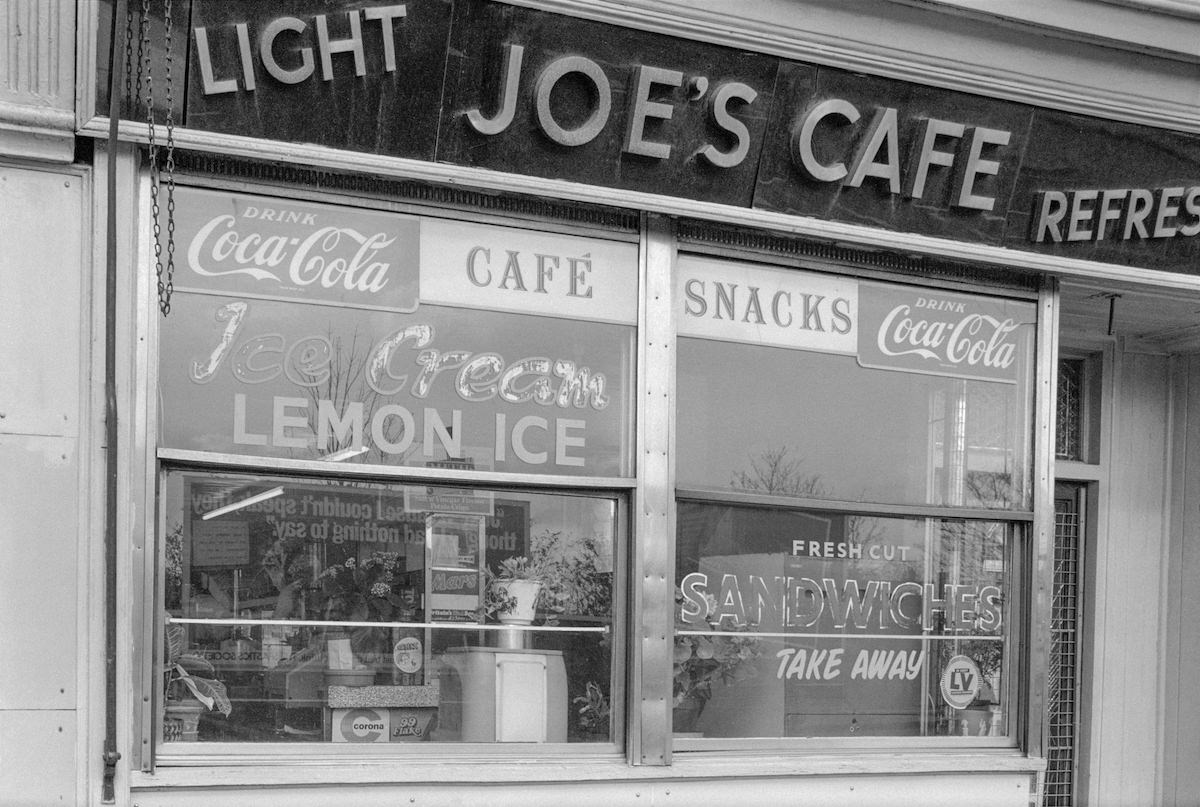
column 526, row 92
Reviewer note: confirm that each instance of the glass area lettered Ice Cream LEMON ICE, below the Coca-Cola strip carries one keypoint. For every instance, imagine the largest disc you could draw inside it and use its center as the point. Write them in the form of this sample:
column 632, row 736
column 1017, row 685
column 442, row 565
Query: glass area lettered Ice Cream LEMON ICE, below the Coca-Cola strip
column 297, row 382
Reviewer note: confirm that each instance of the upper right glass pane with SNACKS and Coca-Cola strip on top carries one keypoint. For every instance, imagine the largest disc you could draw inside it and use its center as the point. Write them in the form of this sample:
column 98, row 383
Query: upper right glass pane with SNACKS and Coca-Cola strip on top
column 873, row 392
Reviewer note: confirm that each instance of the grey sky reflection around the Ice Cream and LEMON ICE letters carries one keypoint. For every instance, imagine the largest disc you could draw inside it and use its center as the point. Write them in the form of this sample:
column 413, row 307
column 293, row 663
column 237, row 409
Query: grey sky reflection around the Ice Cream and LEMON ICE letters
column 201, row 416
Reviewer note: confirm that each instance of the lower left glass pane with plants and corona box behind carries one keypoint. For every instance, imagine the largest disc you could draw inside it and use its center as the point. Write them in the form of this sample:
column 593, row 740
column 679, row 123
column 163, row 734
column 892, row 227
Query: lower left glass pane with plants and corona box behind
column 275, row 590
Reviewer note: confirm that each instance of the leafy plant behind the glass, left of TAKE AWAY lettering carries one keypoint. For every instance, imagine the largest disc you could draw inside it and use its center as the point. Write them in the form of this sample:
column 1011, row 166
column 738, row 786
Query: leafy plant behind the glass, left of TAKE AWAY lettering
column 701, row 661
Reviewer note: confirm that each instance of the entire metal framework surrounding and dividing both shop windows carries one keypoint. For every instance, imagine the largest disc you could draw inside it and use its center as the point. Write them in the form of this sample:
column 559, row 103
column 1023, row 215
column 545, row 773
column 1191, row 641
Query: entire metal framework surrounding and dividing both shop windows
column 645, row 560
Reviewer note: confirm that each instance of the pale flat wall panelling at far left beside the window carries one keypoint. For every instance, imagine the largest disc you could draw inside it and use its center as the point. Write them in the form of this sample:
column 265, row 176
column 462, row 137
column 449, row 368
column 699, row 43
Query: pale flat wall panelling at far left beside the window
column 43, row 380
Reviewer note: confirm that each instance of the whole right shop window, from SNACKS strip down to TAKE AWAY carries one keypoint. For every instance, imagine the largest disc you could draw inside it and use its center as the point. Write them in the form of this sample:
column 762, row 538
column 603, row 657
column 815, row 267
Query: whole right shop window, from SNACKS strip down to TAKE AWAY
column 854, row 498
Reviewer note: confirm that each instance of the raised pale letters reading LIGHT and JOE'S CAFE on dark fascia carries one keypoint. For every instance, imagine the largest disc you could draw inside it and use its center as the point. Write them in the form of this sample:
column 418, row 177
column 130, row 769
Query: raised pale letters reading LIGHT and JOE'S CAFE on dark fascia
column 655, row 93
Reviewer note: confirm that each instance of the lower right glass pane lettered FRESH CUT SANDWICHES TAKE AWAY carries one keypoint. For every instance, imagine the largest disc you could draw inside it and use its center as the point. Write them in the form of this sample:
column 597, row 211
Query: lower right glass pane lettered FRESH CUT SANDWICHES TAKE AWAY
column 806, row 624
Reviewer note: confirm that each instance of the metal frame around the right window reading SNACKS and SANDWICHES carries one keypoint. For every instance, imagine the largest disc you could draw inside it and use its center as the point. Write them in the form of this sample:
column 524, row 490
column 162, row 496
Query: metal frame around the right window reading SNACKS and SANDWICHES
column 1034, row 527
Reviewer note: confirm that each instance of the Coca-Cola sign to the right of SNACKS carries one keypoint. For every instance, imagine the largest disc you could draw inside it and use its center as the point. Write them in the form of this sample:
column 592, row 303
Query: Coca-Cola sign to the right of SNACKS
column 941, row 333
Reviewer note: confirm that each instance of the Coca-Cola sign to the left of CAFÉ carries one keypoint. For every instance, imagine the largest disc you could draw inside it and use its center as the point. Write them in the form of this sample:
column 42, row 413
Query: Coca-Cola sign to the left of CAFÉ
column 269, row 248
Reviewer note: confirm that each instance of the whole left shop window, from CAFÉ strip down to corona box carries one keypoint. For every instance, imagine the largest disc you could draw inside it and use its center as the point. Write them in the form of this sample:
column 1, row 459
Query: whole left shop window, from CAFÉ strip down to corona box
column 371, row 428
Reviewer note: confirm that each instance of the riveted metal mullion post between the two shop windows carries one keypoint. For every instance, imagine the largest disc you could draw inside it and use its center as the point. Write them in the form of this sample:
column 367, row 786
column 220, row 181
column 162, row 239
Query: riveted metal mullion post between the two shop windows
column 653, row 558
